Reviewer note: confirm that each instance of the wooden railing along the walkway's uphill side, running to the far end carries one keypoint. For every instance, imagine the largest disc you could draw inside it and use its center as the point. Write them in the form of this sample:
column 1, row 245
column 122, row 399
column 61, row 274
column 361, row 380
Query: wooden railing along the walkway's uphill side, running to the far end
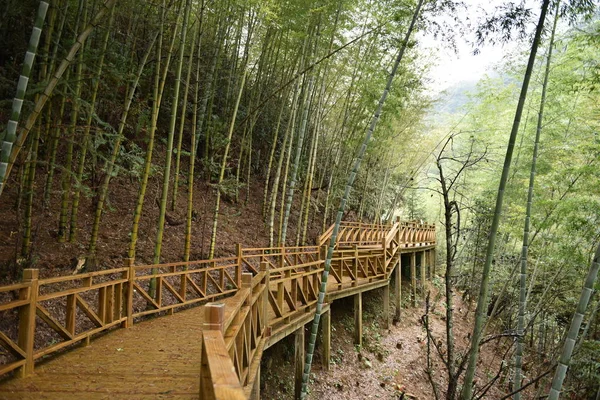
column 223, row 276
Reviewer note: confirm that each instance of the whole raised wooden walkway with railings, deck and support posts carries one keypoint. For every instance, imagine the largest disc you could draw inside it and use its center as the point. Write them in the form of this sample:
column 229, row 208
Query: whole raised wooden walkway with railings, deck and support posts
column 257, row 297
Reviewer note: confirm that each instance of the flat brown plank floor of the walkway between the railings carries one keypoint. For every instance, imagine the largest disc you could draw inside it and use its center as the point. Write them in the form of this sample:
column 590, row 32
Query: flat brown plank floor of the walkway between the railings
column 159, row 358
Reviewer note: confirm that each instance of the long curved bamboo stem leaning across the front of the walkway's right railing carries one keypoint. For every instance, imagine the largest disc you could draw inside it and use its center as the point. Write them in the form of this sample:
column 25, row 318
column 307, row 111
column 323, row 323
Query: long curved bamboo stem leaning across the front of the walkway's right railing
column 342, row 207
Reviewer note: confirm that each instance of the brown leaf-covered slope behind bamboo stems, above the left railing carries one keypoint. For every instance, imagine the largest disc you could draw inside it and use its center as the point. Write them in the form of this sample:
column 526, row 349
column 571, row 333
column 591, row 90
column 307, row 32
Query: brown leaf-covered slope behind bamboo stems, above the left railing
column 239, row 222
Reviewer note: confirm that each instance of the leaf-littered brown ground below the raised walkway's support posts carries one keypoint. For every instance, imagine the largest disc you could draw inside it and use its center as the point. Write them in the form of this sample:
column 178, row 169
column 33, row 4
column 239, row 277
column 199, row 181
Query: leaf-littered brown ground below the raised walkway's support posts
column 391, row 361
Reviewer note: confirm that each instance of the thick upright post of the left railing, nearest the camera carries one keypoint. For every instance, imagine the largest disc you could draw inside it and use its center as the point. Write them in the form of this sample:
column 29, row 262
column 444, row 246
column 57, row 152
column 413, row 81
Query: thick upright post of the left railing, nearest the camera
column 27, row 319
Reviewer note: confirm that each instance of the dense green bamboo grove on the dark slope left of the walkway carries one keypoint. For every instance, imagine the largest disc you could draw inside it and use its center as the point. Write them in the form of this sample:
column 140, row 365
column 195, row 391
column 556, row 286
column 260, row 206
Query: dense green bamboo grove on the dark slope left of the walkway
column 266, row 96
